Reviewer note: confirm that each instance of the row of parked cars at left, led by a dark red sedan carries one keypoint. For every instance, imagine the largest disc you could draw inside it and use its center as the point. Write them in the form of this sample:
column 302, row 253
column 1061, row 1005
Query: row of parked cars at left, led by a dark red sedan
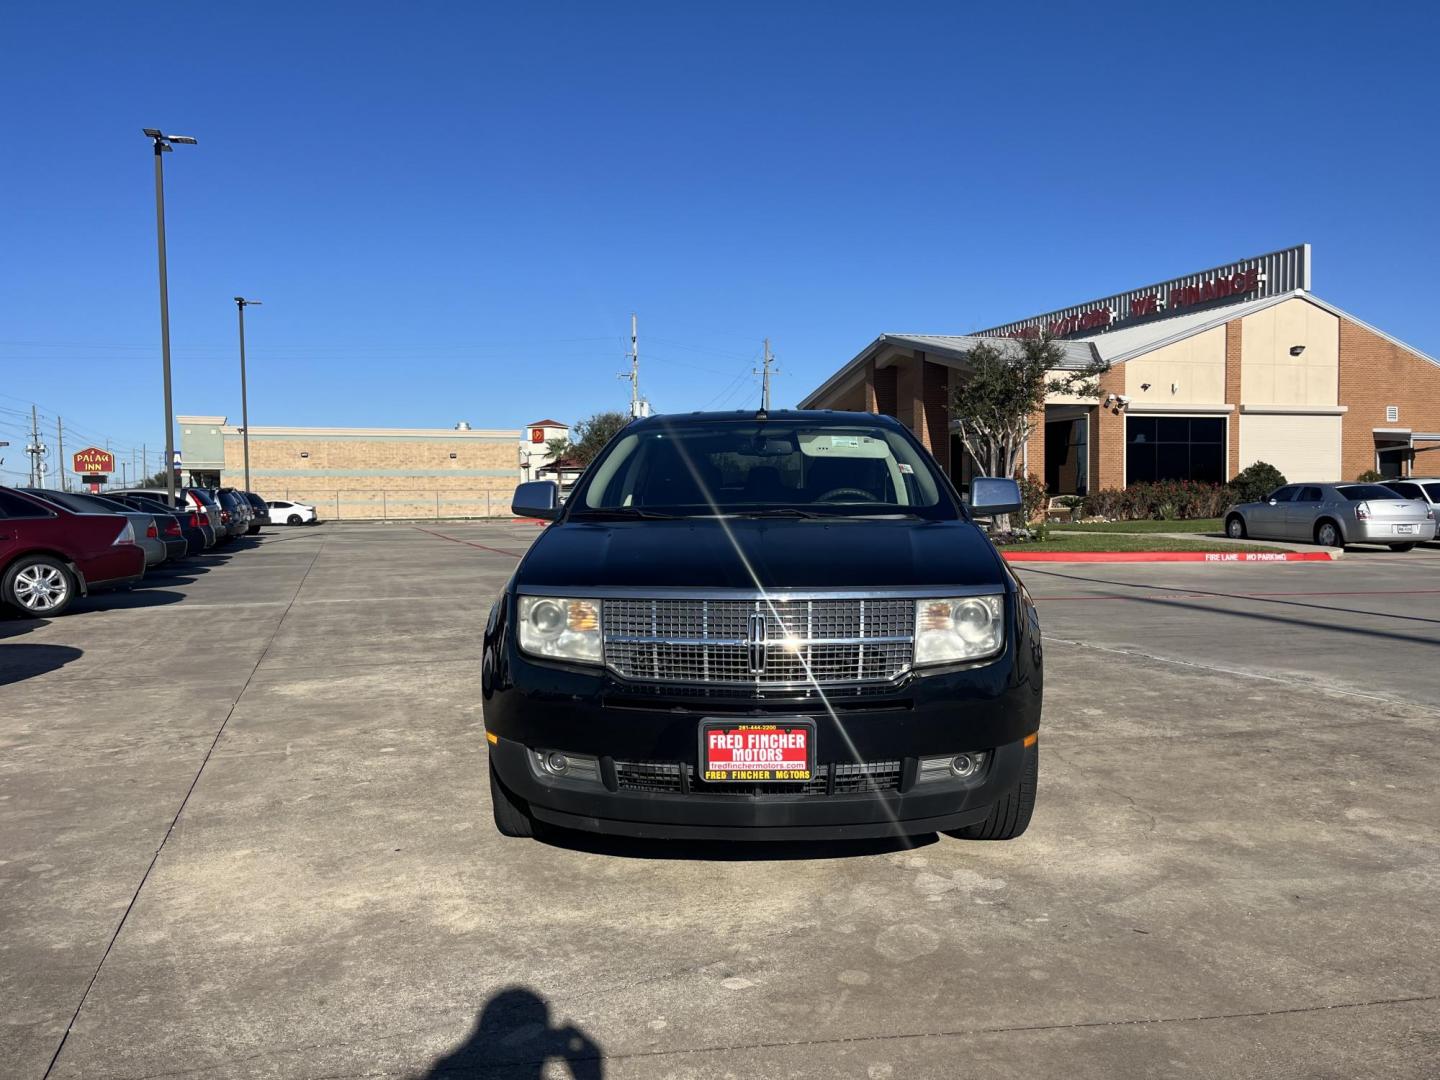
column 60, row 545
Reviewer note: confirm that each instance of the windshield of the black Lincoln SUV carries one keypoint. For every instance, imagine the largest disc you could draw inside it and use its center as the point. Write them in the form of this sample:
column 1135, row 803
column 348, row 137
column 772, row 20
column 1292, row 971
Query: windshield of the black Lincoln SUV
column 764, row 467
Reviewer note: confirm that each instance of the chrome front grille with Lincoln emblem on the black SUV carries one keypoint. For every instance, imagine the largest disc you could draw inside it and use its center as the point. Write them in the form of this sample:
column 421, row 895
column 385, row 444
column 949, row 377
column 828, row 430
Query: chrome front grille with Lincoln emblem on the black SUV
column 760, row 643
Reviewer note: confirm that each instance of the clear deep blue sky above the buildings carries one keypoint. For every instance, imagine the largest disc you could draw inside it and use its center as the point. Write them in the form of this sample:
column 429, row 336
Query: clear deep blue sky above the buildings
column 451, row 210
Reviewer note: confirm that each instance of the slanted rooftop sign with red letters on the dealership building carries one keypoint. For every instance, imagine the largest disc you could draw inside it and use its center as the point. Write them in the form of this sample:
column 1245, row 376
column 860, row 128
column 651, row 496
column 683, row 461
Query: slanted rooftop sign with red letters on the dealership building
column 1265, row 276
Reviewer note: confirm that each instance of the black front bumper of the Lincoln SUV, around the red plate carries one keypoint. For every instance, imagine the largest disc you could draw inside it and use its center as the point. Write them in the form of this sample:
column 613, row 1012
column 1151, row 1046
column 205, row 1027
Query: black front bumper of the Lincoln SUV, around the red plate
column 536, row 706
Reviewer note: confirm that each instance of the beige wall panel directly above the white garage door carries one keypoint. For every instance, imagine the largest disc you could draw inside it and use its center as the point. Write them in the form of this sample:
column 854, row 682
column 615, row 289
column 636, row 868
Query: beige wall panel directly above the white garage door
column 1269, row 375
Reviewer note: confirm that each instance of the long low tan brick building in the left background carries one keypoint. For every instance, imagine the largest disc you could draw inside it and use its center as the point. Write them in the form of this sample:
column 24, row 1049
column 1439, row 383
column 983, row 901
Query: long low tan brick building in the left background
column 371, row 473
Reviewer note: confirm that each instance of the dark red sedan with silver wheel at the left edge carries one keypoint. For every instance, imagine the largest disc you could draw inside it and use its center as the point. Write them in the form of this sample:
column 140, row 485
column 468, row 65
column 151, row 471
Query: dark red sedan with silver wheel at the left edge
column 50, row 555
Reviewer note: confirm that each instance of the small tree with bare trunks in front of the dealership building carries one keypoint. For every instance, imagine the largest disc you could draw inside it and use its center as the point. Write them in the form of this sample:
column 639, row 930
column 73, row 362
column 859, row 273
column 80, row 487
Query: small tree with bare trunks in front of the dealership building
column 997, row 401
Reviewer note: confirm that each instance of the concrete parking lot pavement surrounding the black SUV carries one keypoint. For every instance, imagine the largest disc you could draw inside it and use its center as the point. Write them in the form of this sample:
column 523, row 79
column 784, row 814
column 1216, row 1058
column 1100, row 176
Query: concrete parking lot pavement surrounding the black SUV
column 246, row 832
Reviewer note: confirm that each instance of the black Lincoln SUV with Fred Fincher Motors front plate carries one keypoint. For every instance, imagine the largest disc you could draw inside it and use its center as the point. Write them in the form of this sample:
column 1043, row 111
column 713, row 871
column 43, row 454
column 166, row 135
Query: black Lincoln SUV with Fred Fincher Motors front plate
column 778, row 627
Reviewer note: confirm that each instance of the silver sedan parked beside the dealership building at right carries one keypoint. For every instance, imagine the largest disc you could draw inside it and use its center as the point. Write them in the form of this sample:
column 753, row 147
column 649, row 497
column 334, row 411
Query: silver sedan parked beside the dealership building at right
column 1334, row 516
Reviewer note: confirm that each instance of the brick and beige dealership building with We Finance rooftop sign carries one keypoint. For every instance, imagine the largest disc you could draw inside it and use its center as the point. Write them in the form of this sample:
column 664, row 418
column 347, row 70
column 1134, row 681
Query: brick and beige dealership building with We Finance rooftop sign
column 1209, row 374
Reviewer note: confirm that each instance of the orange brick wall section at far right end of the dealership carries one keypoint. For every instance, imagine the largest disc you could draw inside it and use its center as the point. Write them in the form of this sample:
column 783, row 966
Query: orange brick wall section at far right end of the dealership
column 1374, row 375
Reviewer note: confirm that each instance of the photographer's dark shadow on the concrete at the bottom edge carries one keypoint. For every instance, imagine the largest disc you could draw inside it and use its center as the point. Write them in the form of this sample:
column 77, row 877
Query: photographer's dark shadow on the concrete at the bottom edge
column 513, row 1039
